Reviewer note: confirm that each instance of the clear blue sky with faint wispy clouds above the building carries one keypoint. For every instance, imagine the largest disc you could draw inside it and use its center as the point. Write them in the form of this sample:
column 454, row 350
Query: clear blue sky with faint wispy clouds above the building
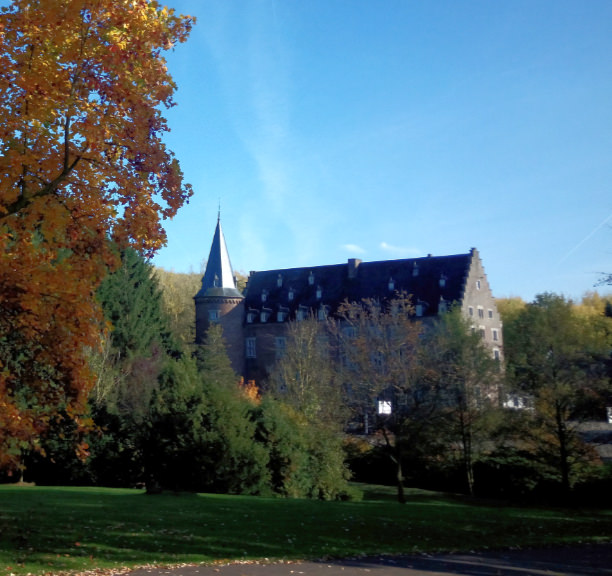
column 381, row 129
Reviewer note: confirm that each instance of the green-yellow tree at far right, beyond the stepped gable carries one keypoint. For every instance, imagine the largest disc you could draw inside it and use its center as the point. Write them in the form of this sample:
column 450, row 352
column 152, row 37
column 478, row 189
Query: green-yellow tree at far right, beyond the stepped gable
column 559, row 361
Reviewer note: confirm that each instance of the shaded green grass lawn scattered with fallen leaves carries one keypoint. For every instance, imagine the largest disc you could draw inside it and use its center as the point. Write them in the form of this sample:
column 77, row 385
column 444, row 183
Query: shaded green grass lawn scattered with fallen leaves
column 59, row 529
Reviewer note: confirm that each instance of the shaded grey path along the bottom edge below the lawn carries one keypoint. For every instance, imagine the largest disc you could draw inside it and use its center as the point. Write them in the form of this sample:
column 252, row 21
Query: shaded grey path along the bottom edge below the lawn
column 585, row 560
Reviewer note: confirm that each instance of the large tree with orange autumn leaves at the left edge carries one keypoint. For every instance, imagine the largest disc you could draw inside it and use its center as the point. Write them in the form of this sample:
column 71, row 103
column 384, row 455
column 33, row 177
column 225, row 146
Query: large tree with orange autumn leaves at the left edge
column 83, row 84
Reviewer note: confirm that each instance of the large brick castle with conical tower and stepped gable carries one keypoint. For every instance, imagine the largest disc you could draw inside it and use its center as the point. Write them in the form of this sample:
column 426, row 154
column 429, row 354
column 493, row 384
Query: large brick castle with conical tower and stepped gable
column 254, row 324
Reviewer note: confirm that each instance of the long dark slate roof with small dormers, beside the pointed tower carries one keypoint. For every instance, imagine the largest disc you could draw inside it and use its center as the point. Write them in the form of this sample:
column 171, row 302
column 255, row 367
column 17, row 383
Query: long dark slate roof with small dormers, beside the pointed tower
column 331, row 285
